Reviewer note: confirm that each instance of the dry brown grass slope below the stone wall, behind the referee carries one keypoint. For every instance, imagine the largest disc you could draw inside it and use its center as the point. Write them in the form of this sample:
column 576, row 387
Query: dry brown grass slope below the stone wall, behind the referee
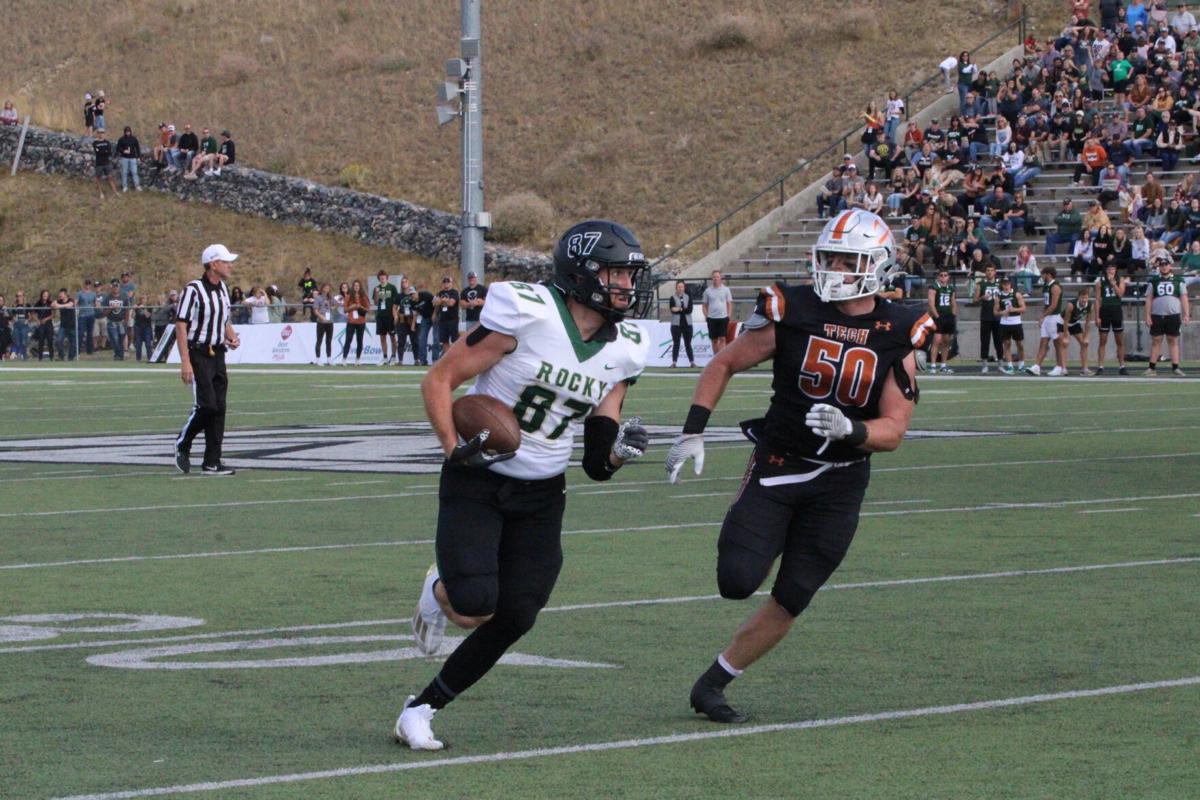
column 56, row 232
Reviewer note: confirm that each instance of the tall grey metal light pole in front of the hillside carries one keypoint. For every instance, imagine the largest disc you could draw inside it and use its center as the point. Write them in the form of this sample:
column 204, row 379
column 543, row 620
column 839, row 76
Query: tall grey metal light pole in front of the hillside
column 461, row 95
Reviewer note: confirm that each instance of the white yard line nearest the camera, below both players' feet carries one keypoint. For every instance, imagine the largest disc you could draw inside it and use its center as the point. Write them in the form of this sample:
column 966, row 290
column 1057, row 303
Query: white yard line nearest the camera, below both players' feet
column 647, row 742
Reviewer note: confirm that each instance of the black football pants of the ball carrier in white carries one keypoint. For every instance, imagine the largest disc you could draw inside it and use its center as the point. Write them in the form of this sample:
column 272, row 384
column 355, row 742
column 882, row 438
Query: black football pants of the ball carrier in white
column 499, row 538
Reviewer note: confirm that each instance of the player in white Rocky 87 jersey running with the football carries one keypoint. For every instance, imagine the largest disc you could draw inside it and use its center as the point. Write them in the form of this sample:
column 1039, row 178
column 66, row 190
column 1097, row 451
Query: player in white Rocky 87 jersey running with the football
column 557, row 354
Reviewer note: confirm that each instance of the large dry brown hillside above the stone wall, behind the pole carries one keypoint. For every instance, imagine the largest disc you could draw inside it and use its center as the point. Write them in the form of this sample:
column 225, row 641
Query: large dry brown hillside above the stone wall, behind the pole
column 661, row 115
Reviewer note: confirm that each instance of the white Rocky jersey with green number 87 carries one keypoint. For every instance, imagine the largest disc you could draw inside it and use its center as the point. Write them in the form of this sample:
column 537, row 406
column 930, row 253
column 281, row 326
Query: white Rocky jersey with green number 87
column 554, row 378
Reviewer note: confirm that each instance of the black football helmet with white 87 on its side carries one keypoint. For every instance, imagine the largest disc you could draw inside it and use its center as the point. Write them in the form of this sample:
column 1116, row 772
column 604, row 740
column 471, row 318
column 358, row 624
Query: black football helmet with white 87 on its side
column 590, row 248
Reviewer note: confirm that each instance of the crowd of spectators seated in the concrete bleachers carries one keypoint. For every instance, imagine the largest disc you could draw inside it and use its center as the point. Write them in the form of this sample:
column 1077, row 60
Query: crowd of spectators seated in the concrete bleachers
column 1102, row 97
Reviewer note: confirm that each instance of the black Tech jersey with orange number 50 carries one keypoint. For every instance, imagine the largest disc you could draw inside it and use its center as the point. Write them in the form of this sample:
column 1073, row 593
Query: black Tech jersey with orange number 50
column 826, row 357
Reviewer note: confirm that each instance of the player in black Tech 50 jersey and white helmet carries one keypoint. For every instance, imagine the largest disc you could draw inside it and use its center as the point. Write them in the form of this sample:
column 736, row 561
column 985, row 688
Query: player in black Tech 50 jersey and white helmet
column 844, row 388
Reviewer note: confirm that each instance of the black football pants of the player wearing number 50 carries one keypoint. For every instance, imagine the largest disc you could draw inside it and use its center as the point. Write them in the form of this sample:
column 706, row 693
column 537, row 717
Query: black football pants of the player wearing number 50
column 811, row 525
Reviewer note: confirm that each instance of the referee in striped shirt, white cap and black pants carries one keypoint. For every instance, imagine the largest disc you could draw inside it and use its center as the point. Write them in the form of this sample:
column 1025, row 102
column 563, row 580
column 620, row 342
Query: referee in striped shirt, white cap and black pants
column 203, row 333
